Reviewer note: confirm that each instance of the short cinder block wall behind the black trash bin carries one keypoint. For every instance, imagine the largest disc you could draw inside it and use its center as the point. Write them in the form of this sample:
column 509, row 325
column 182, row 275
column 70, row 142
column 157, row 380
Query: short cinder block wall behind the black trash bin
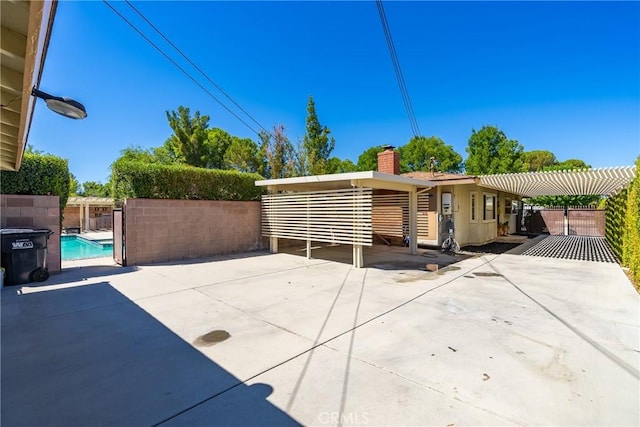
column 20, row 211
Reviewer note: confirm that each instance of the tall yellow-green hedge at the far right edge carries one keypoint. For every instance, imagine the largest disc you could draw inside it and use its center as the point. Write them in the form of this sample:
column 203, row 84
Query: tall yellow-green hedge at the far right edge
column 623, row 225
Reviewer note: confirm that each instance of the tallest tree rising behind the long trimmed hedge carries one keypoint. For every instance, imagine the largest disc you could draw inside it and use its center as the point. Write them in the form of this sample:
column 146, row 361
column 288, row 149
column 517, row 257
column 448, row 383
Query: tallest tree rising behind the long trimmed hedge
column 190, row 135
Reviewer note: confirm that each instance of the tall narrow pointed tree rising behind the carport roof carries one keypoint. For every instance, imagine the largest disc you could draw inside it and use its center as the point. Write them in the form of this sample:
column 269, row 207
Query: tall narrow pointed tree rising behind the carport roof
column 316, row 142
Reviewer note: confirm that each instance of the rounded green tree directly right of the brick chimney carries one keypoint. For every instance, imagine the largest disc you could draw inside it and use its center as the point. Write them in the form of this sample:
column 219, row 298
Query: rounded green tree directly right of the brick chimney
column 416, row 155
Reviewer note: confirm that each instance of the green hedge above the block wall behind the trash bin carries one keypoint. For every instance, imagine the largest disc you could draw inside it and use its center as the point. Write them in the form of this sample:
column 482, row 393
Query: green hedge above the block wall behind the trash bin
column 39, row 174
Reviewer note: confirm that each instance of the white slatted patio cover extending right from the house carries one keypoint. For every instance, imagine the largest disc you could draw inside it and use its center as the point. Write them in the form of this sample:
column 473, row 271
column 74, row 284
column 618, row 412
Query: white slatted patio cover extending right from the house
column 596, row 182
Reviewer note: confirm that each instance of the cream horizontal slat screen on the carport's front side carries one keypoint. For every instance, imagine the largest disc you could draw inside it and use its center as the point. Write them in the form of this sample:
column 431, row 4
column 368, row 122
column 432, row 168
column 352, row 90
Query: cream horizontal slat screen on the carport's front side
column 333, row 216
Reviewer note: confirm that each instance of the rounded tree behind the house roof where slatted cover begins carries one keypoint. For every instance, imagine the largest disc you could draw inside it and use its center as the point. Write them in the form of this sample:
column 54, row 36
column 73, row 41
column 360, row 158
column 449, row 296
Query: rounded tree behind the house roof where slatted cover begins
column 491, row 152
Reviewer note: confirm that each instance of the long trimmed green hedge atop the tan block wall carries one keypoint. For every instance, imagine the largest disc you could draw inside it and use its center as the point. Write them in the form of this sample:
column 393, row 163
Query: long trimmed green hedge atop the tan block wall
column 131, row 179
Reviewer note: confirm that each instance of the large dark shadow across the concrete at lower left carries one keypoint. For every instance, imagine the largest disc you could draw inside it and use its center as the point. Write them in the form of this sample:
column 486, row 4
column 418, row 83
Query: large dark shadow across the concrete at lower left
column 87, row 355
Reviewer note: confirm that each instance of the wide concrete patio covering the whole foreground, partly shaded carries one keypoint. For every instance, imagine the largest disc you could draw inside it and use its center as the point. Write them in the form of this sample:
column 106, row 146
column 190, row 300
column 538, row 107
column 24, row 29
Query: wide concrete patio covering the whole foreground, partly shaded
column 262, row 339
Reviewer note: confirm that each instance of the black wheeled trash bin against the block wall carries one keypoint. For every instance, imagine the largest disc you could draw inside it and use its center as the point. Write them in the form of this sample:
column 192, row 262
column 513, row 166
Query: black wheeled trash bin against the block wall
column 24, row 255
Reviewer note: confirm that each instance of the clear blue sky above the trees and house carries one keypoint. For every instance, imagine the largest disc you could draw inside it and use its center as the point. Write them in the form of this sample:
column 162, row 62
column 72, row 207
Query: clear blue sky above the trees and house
column 558, row 76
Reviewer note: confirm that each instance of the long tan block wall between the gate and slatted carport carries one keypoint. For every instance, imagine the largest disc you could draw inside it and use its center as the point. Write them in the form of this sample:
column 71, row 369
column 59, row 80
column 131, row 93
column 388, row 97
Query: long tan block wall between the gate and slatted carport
column 172, row 230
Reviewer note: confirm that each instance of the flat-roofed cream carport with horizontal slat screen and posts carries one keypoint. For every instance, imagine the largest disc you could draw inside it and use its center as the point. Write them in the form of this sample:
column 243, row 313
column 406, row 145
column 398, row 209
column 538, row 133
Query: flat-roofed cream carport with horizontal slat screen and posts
column 334, row 208
